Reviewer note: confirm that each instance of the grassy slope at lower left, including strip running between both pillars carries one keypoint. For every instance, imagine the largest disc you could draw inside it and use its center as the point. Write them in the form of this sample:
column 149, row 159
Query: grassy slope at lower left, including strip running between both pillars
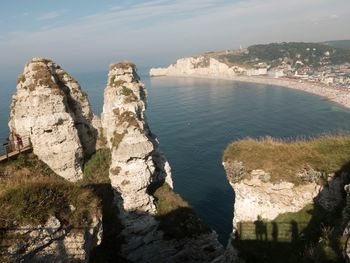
column 30, row 192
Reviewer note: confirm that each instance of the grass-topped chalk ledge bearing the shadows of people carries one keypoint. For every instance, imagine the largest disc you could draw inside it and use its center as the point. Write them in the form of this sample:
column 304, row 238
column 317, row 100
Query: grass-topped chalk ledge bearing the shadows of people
column 290, row 192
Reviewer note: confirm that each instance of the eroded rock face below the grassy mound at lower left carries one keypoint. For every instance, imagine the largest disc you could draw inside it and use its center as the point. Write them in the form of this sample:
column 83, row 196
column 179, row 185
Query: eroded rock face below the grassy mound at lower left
column 52, row 242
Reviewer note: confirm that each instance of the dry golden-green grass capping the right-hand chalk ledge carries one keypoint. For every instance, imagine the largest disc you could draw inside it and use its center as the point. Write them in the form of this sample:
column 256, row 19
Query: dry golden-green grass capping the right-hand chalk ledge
column 283, row 160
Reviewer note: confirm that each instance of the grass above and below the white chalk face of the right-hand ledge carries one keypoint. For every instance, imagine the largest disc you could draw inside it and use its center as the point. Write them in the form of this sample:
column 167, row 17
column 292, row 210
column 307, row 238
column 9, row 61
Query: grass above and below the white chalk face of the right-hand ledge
column 311, row 234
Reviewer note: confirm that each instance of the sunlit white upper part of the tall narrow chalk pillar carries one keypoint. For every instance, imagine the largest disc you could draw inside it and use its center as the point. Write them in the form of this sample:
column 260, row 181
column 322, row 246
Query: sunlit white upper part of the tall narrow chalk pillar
column 136, row 160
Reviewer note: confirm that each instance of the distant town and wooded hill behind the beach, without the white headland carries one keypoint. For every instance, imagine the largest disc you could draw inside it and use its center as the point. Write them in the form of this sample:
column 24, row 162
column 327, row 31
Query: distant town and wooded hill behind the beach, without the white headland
column 304, row 62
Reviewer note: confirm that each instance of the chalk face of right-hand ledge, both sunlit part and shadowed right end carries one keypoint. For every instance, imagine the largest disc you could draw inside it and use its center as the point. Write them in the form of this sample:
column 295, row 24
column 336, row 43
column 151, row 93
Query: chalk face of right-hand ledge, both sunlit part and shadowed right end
column 256, row 195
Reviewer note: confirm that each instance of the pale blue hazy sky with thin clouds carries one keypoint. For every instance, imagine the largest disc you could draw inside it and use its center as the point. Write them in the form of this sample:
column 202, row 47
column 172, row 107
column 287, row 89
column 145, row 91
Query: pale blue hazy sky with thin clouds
column 85, row 36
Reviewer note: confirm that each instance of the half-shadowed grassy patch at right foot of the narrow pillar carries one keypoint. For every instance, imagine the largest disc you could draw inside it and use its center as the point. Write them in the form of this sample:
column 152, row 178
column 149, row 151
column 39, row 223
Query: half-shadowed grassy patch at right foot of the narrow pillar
column 176, row 218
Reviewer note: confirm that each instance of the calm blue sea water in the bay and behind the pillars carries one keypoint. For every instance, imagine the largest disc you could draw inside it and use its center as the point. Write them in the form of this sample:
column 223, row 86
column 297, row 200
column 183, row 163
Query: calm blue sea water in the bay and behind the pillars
column 195, row 119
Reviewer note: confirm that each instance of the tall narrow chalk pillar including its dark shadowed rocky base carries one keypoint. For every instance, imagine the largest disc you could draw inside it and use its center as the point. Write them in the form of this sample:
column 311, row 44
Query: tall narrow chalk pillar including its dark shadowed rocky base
column 137, row 169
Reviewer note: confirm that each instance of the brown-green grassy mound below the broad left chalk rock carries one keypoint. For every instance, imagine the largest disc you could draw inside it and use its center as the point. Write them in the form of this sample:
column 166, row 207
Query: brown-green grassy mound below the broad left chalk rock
column 30, row 192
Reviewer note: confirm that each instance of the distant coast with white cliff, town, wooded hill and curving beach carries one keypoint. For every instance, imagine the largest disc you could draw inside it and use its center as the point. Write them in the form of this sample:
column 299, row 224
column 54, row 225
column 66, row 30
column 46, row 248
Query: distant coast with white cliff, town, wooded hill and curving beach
column 311, row 67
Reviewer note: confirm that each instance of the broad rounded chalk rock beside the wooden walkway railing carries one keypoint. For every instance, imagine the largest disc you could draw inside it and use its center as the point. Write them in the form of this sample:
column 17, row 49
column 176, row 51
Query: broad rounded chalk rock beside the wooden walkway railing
column 50, row 109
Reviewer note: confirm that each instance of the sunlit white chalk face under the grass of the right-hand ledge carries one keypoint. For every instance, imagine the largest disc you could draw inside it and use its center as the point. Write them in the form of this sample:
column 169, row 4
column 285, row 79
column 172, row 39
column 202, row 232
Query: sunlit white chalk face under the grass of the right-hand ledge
column 255, row 196
